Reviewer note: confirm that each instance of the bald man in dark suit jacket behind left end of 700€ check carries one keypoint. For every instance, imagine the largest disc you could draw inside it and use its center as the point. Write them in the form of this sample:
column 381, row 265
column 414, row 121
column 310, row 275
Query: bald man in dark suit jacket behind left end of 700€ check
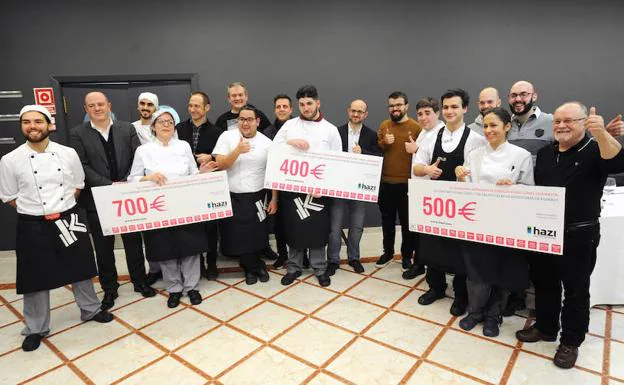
column 106, row 150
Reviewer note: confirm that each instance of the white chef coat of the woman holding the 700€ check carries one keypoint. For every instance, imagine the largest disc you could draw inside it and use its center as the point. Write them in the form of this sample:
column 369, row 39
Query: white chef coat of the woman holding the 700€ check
column 173, row 160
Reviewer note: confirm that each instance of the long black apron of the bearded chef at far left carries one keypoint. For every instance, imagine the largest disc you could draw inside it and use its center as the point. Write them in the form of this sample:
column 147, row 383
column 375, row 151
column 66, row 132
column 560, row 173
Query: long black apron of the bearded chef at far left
column 52, row 253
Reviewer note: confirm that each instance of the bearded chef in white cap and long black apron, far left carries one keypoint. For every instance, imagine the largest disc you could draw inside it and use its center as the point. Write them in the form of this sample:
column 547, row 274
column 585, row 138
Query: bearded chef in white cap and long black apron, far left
column 42, row 179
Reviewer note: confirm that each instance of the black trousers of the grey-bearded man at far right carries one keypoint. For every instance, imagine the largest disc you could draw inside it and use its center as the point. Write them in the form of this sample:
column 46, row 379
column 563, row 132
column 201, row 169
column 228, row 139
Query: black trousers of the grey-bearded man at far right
column 572, row 270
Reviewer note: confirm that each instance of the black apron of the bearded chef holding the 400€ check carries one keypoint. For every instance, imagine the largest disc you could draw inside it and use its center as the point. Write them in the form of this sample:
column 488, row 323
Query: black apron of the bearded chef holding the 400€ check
column 306, row 220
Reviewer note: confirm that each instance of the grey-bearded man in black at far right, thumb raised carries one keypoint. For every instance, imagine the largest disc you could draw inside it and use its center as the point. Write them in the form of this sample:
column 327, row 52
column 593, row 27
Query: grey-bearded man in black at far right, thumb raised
column 579, row 163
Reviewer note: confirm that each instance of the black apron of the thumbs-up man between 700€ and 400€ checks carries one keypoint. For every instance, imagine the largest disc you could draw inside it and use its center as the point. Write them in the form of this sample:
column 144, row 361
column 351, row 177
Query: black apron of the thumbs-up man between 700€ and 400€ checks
column 247, row 231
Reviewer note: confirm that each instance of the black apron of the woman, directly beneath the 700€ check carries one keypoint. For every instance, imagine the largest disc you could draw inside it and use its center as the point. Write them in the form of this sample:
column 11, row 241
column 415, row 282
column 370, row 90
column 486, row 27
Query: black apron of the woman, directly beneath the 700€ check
column 175, row 242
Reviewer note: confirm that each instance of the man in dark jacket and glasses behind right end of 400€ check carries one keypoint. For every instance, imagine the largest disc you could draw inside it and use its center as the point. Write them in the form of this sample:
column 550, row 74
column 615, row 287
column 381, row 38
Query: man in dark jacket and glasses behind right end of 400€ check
column 359, row 139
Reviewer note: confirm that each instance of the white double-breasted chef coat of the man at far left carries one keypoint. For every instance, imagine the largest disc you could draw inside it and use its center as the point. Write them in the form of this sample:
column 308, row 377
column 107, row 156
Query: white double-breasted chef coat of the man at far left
column 43, row 183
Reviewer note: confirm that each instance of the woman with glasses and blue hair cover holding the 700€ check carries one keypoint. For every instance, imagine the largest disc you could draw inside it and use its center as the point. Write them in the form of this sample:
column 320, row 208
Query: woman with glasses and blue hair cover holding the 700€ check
column 177, row 249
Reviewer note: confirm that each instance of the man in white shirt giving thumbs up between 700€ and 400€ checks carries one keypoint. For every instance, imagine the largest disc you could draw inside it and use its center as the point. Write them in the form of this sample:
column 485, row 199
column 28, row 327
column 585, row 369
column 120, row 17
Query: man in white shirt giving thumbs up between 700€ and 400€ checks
column 243, row 153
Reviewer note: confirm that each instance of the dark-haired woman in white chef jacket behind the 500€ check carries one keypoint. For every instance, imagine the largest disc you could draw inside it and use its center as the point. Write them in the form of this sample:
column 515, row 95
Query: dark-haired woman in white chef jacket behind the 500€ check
column 493, row 270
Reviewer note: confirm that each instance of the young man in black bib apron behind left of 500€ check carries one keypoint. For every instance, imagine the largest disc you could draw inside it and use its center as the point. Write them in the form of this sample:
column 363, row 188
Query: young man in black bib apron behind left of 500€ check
column 438, row 157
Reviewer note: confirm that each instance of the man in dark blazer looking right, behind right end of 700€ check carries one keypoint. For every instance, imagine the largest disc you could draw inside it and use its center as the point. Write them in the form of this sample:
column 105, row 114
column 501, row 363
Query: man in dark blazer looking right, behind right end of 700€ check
column 202, row 136
